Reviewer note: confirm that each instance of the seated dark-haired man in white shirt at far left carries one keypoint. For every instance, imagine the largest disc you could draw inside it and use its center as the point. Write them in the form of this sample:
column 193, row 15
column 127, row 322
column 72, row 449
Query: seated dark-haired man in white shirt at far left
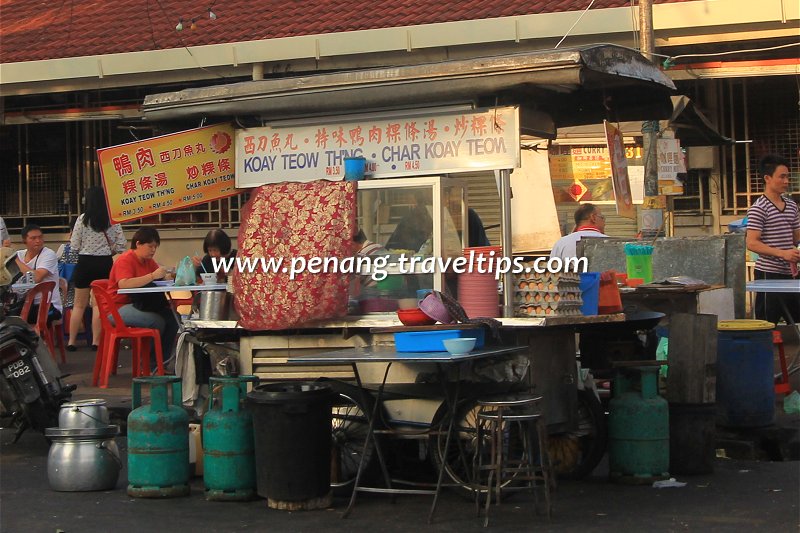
column 42, row 264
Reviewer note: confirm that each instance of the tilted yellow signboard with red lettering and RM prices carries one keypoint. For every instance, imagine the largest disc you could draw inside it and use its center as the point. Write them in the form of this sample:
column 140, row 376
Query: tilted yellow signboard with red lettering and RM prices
column 168, row 172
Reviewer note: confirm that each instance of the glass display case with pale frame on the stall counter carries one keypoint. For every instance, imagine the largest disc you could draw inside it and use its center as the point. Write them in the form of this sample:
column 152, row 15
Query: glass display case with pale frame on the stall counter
column 415, row 221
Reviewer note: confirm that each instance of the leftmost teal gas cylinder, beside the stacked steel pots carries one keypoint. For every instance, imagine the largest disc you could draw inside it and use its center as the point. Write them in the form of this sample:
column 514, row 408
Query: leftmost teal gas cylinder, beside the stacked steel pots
column 158, row 441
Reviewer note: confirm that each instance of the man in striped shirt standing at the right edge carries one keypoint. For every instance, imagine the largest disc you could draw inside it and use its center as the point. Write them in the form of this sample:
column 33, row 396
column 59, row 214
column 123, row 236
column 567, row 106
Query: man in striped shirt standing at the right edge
column 773, row 232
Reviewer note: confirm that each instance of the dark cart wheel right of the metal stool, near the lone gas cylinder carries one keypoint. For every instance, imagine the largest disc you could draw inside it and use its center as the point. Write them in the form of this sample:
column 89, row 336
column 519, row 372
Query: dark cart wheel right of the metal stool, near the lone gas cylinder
column 576, row 454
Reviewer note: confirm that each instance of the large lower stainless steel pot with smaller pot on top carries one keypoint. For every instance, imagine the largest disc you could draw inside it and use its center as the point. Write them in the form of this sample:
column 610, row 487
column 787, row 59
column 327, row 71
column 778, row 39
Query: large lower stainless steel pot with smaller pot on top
column 83, row 459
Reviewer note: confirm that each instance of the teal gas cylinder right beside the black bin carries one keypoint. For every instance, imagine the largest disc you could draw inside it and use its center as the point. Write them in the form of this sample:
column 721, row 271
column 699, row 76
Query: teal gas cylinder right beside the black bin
column 229, row 465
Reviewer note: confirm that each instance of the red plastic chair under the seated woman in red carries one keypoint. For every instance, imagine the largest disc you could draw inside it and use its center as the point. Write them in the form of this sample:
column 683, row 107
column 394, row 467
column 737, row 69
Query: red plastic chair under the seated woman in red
column 108, row 351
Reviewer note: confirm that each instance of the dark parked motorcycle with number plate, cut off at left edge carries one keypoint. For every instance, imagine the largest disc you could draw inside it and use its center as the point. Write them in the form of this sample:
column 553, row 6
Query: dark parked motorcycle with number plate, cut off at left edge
column 31, row 386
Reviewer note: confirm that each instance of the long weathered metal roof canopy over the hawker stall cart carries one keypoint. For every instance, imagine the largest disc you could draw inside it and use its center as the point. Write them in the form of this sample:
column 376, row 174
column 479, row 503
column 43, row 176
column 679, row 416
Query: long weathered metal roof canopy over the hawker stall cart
column 561, row 87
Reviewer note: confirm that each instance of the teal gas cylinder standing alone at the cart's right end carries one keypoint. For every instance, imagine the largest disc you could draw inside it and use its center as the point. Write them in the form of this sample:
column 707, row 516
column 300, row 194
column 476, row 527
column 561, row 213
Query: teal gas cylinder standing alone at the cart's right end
column 638, row 427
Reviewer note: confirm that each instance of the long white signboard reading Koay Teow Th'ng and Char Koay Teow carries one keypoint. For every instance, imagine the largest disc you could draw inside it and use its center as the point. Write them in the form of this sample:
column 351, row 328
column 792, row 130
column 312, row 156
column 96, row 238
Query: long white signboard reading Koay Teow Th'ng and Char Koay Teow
column 408, row 144
